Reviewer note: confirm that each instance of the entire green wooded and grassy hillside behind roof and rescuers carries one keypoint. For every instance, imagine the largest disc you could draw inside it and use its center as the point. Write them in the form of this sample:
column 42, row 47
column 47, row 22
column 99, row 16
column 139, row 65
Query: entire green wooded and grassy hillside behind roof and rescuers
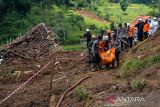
column 18, row 16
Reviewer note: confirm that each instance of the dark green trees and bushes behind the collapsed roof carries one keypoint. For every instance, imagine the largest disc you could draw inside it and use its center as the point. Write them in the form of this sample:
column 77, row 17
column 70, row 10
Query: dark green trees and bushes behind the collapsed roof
column 59, row 15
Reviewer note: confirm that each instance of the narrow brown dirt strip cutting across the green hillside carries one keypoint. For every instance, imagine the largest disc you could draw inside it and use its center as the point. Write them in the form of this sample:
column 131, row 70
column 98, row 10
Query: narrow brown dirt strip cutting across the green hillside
column 86, row 13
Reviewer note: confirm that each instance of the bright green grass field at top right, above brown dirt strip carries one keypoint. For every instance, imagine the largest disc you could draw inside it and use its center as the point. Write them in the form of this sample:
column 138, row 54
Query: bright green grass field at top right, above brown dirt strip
column 114, row 13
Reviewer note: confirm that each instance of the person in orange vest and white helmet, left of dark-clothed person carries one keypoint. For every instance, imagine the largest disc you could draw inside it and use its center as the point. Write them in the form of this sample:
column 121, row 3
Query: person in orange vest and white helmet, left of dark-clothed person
column 131, row 33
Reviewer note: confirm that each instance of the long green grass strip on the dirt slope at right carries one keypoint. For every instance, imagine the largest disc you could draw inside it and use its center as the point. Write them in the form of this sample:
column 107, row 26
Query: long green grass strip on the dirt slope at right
column 133, row 65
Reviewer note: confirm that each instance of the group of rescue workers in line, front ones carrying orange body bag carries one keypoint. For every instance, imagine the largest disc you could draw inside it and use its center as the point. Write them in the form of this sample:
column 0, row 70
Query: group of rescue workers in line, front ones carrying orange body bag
column 117, row 41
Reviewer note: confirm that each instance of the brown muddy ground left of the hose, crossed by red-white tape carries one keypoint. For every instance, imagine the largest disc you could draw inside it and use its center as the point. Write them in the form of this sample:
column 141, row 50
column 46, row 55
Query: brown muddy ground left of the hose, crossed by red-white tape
column 38, row 91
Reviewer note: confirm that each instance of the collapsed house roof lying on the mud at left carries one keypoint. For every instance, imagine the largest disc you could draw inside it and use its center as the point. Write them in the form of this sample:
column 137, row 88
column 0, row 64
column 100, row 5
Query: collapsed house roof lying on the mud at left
column 38, row 42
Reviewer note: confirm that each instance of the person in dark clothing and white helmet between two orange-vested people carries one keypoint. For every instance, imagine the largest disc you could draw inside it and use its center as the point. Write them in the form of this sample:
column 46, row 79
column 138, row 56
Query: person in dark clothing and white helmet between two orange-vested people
column 139, row 26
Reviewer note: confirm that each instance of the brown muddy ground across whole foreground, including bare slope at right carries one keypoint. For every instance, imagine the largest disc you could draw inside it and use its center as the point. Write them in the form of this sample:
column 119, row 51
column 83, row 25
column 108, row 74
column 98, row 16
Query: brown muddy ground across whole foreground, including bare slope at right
column 70, row 68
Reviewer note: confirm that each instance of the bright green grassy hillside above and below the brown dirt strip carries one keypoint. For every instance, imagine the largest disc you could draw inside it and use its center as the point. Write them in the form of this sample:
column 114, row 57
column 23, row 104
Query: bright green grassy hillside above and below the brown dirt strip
column 113, row 12
